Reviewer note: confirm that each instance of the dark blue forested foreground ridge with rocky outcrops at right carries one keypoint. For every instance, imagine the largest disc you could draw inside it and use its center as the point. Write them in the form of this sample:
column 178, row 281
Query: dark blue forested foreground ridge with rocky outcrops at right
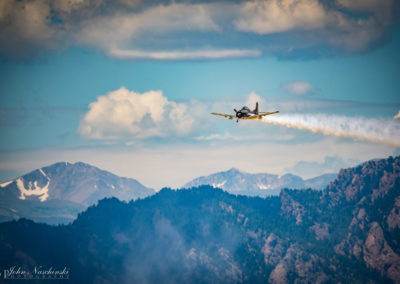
column 348, row 233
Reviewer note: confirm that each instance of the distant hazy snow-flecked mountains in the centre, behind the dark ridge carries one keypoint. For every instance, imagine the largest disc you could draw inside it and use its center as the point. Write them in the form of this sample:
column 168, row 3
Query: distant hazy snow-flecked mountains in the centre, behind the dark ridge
column 237, row 182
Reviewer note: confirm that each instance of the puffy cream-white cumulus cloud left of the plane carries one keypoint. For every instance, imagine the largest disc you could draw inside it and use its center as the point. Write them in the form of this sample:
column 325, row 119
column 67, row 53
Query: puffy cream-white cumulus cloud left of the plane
column 124, row 114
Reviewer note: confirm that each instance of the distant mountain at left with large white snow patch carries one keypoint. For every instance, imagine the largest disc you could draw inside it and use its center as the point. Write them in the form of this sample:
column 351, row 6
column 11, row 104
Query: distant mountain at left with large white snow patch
column 68, row 185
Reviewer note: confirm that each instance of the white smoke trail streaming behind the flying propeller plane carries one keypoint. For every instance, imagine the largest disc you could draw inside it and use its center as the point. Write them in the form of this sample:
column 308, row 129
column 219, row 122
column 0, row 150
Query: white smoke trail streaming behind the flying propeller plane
column 382, row 131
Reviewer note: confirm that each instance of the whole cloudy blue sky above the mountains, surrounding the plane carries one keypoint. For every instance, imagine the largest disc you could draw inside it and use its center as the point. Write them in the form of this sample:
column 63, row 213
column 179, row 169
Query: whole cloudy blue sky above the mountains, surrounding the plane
column 129, row 86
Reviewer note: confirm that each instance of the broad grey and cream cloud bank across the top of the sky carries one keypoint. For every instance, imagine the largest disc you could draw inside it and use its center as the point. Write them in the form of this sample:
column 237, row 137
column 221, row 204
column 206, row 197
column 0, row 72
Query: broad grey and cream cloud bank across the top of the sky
column 202, row 29
